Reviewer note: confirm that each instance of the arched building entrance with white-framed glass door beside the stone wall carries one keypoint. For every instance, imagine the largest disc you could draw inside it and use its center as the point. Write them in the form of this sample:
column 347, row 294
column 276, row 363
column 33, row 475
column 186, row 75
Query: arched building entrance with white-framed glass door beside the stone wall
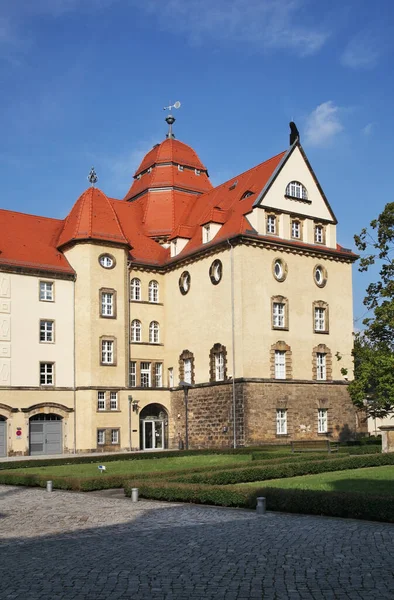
column 153, row 427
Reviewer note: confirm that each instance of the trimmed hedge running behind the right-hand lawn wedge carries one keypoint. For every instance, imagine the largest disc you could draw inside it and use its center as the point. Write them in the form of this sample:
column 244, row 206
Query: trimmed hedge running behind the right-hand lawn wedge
column 264, row 472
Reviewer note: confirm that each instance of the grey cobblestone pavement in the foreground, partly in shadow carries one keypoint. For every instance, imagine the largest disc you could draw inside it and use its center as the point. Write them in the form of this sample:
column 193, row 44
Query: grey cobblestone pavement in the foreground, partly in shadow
column 62, row 545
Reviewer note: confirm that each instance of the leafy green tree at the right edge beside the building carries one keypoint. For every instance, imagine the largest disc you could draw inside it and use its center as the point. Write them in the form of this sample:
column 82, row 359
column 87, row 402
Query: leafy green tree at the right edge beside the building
column 373, row 386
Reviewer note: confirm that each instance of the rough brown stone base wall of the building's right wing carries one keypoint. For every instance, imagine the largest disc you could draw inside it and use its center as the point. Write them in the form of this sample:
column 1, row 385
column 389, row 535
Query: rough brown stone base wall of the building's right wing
column 210, row 413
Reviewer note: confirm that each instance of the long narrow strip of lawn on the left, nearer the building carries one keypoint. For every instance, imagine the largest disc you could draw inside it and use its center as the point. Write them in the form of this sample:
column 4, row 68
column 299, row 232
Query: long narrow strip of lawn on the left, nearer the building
column 131, row 467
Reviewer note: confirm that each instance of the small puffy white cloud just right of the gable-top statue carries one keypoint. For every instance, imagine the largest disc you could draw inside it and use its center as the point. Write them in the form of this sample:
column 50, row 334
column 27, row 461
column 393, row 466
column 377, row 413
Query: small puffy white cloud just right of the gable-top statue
column 323, row 124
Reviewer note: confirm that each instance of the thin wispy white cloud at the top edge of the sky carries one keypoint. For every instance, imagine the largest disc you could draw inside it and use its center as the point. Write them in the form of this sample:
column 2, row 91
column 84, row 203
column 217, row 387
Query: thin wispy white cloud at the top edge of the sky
column 262, row 24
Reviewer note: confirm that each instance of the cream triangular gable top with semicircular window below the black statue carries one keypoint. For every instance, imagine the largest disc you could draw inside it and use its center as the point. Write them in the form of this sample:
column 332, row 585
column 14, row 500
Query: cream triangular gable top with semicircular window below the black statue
column 295, row 167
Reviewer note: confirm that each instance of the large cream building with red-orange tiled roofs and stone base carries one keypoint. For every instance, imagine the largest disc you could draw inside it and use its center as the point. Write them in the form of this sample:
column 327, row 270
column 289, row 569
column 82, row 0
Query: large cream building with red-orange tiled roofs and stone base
column 241, row 291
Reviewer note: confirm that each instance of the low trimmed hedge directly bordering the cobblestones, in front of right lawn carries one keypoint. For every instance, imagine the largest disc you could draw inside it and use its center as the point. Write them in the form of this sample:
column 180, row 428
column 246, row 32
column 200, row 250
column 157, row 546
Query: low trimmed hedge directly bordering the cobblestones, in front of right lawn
column 334, row 504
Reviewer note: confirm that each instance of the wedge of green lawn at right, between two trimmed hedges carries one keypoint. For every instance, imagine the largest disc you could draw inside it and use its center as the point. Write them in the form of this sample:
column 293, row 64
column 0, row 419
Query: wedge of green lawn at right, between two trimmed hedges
column 373, row 480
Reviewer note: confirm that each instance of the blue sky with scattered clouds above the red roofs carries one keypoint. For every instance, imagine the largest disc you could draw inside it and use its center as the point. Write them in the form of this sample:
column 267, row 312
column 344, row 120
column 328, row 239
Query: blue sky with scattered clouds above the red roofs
column 84, row 83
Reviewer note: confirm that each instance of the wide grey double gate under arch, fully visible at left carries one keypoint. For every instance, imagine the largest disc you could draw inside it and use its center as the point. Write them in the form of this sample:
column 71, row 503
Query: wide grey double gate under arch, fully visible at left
column 45, row 434
